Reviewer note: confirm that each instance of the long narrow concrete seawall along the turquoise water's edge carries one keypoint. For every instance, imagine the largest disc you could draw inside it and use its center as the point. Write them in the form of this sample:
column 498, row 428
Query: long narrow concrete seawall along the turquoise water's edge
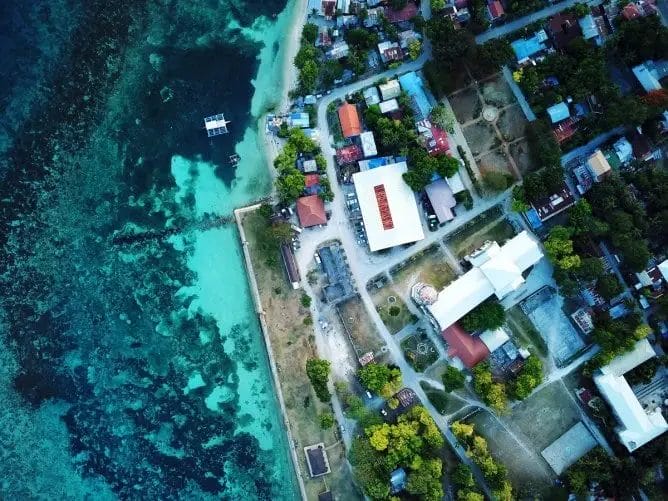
column 238, row 214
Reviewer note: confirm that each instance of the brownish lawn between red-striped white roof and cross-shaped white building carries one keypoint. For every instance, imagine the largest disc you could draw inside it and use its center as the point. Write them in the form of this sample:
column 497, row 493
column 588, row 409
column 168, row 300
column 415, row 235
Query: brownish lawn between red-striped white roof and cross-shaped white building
column 428, row 266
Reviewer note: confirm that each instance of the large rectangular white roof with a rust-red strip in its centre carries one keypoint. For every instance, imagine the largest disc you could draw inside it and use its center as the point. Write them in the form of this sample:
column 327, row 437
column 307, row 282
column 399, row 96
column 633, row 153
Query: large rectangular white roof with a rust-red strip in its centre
column 388, row 206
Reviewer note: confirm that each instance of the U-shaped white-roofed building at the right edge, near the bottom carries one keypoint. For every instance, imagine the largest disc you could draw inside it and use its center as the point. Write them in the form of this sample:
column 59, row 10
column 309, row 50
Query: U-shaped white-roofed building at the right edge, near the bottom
column 636, row 426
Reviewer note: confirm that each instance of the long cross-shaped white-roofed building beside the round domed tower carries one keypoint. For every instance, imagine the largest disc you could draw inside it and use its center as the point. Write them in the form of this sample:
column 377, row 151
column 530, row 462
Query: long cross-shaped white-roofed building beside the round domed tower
column 496, row 271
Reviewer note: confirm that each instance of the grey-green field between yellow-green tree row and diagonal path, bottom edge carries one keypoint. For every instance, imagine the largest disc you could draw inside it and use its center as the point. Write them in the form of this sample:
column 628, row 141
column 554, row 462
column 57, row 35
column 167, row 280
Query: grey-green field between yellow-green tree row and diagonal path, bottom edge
column 527, row 470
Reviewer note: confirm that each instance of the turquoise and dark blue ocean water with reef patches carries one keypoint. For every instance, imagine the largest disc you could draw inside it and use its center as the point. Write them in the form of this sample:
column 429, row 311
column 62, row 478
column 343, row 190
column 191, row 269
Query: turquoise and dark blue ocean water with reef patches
column 131, row 361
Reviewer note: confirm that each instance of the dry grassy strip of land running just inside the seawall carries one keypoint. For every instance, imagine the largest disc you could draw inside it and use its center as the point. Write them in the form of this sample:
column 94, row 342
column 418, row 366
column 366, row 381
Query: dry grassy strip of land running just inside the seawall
column 292, row 344
